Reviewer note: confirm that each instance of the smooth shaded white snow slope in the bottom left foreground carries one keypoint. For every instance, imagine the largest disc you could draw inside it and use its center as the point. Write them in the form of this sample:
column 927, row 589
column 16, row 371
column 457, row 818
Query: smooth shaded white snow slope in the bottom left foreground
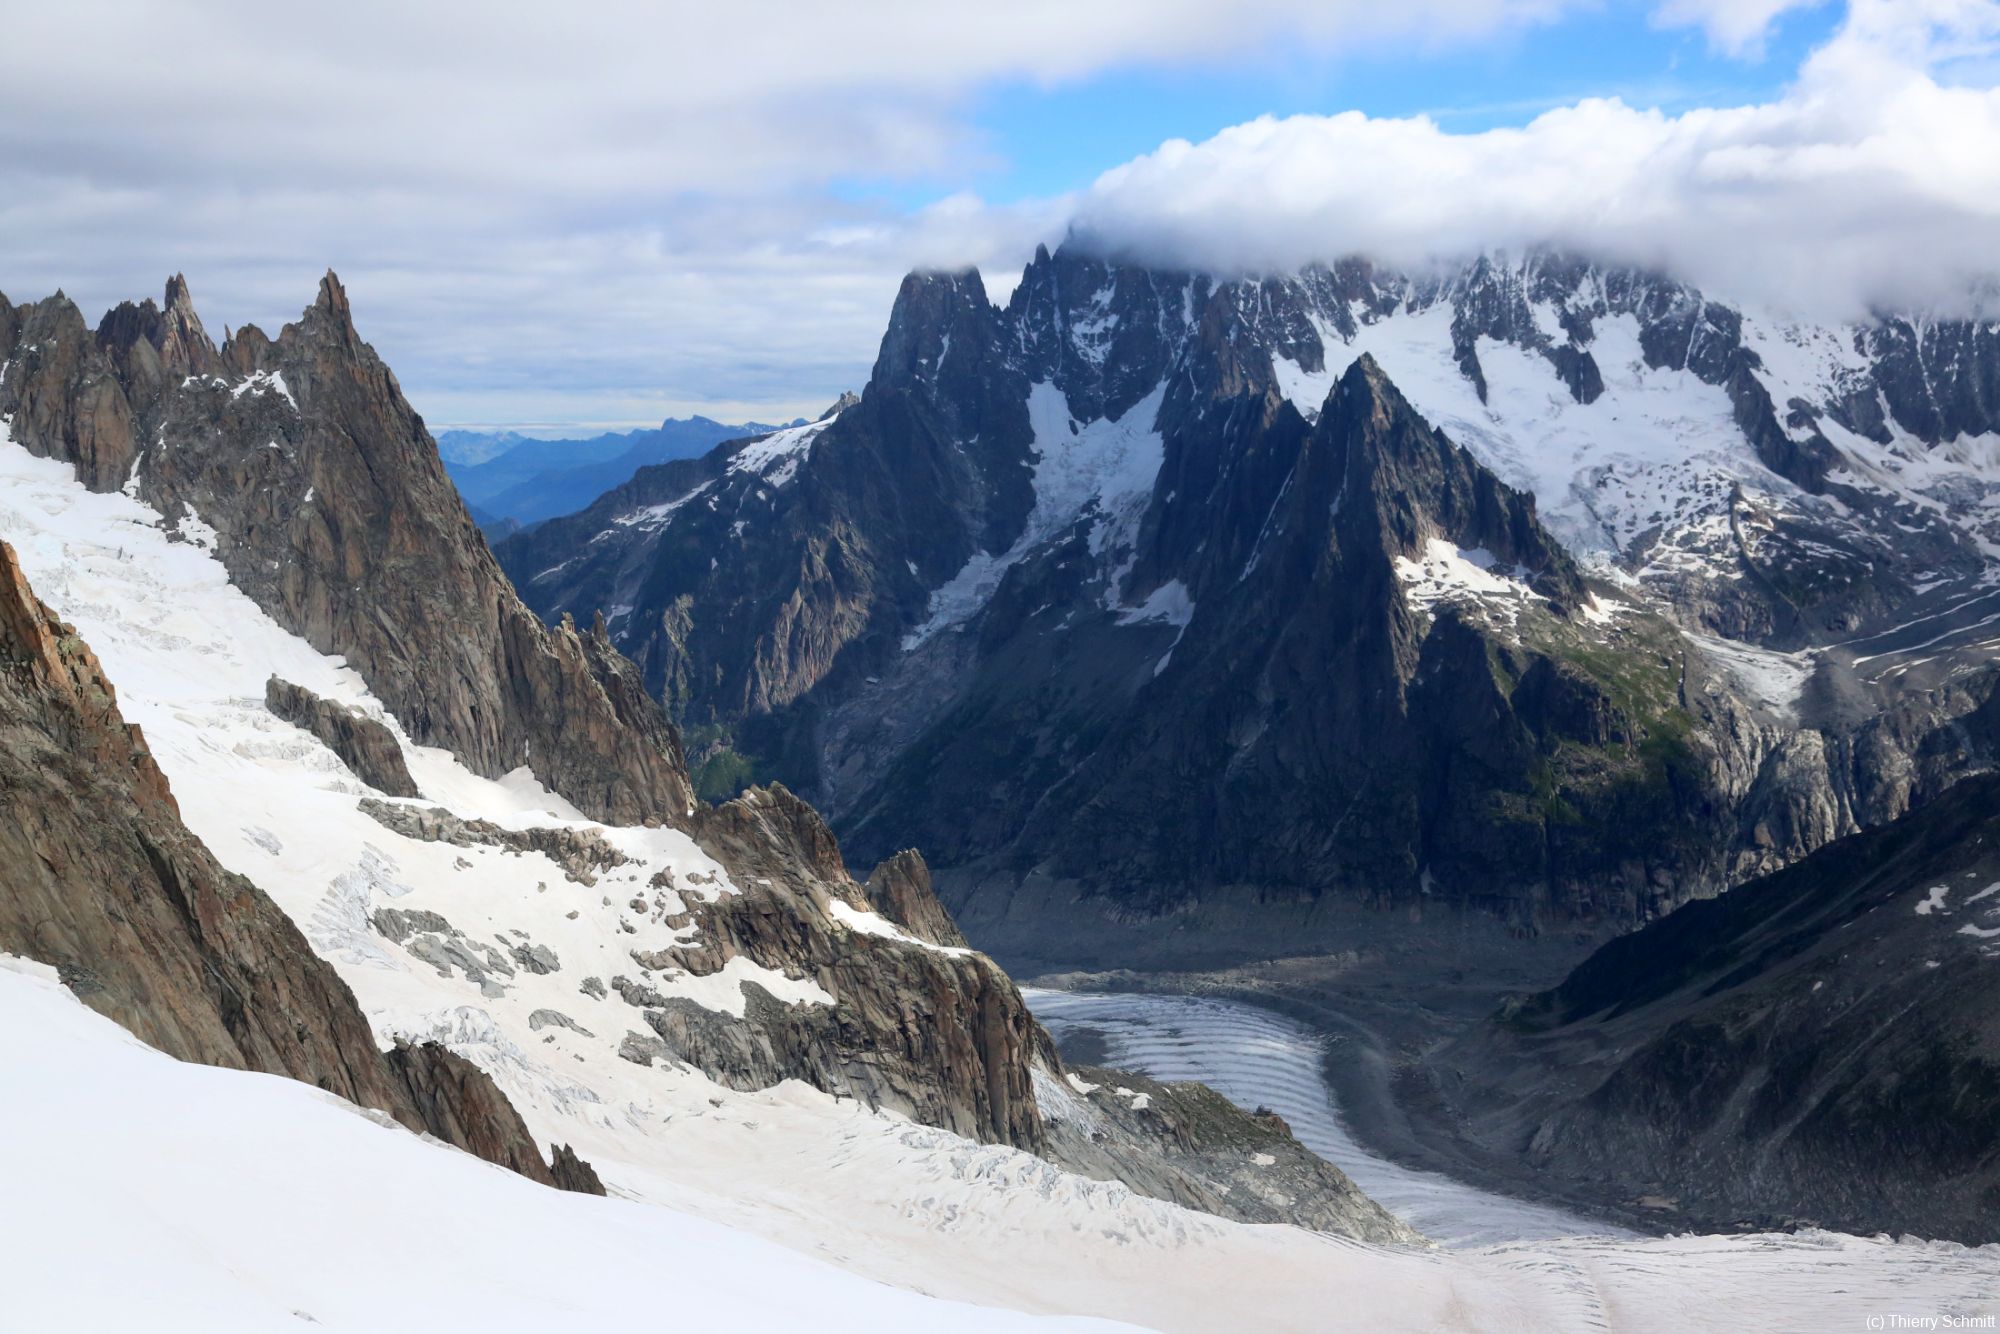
column 243, row 1203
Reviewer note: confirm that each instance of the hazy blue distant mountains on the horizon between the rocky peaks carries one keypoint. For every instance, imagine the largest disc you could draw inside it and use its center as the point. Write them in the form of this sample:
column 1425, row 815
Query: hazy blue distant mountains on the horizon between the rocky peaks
column 513, row 481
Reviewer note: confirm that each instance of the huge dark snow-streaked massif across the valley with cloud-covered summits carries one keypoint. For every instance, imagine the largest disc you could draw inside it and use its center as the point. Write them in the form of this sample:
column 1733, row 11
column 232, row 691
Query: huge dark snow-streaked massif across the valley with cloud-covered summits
column 1523, row 589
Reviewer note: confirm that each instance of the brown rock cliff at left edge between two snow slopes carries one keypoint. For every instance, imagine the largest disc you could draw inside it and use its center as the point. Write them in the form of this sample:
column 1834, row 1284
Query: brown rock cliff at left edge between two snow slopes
column 103, row 881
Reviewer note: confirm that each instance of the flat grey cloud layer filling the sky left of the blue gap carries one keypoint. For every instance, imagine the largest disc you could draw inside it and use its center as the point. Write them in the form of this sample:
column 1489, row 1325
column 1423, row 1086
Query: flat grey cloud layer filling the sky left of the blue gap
column 563, row 213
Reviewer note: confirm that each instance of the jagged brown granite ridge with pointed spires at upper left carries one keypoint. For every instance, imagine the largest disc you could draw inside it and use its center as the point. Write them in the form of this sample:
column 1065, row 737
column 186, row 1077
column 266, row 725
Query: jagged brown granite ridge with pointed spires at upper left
column 319, row 487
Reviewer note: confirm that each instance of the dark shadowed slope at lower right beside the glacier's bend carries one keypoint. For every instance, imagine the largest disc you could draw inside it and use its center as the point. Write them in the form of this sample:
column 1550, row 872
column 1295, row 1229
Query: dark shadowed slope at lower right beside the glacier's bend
column 1815, row 1047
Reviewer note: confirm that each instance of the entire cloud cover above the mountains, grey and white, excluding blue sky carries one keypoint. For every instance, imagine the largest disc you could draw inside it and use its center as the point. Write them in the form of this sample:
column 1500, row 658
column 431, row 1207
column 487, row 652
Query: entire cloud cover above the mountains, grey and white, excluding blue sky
column 631, row 211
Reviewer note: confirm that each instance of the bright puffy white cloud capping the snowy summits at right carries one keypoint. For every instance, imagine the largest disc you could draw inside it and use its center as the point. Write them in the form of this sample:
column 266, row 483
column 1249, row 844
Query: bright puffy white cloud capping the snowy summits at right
column 1871, row 181
